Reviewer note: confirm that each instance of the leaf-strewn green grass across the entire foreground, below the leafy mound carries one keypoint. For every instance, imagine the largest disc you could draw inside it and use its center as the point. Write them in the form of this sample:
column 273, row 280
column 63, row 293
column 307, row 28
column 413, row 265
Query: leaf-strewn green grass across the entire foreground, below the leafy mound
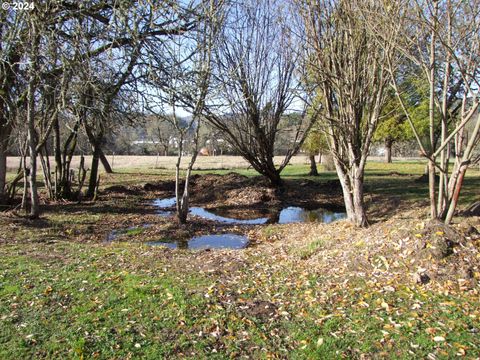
column 82, row 301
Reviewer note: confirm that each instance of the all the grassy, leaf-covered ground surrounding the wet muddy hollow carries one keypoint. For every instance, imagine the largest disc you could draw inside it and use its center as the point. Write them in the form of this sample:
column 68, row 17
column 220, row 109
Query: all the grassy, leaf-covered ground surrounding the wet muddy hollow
column 299, row 291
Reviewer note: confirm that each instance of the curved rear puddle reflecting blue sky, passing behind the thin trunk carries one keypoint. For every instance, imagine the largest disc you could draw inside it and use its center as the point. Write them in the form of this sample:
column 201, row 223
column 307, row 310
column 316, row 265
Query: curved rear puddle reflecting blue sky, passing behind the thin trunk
column 284, row 216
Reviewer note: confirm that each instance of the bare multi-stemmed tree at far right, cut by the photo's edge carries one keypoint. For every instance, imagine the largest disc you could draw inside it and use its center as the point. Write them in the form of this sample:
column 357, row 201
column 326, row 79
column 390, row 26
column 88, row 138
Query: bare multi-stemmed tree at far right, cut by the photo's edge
column 442, row 38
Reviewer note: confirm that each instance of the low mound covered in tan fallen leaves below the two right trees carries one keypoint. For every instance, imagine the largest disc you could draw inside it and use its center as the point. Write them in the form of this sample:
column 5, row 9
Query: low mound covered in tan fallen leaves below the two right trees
column 401, row 249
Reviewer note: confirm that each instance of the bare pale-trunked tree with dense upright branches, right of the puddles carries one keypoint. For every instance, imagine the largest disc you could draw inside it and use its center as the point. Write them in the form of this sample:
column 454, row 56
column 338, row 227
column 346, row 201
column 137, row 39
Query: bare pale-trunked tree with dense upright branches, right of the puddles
column 349, row 66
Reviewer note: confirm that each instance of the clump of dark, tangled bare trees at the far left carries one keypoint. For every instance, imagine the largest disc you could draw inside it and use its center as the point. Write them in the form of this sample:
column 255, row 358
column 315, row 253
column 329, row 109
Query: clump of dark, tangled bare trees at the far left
column 106, row 36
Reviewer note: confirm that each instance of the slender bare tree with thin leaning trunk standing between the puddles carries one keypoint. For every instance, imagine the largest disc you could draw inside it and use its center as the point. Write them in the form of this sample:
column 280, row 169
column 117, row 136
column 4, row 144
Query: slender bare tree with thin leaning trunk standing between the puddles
column 185, row 84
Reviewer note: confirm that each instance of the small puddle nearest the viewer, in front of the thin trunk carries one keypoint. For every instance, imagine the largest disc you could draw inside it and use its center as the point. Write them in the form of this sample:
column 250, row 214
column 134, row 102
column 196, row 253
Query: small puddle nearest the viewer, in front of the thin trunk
column 220, row 241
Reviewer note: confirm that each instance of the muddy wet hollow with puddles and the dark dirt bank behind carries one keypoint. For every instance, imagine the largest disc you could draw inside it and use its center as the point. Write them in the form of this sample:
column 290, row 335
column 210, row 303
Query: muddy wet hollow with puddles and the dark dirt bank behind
column 224, row 208
